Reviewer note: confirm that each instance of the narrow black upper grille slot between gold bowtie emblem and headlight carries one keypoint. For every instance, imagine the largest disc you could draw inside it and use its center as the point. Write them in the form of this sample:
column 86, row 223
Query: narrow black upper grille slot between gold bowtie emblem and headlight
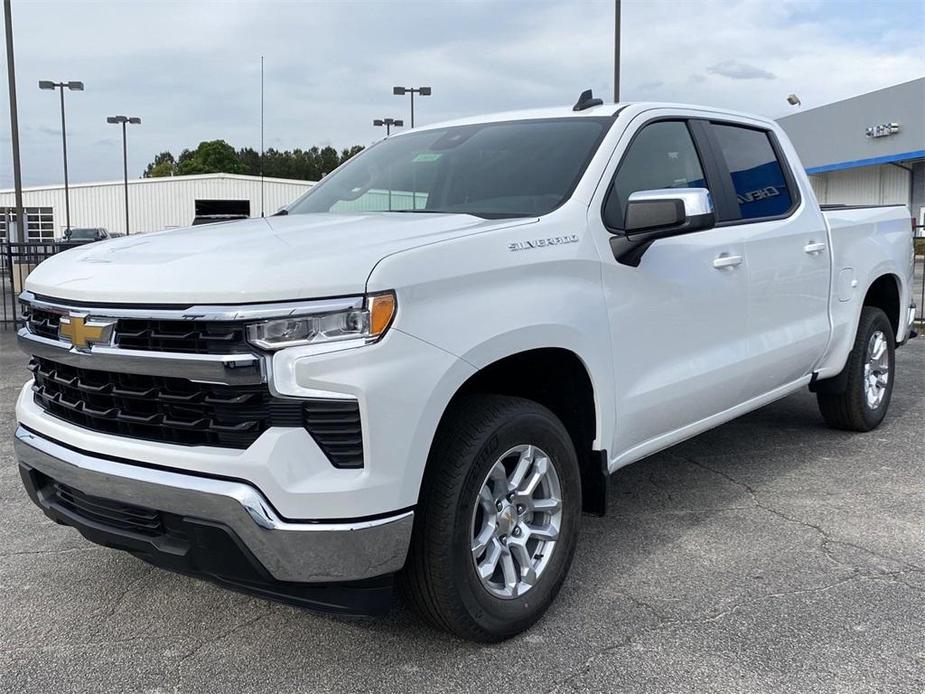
column 192, row 337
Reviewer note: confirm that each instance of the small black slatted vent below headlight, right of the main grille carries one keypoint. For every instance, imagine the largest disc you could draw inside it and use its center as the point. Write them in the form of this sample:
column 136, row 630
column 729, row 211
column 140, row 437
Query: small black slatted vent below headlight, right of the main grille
column 335, row 425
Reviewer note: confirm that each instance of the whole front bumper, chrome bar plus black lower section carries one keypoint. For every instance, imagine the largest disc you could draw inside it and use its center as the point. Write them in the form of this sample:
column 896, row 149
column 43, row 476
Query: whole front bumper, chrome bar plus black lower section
column 282, row 554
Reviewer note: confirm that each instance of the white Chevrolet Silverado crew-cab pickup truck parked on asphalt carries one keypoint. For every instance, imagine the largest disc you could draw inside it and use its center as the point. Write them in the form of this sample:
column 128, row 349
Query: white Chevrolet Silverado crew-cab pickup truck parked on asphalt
column 426, row 368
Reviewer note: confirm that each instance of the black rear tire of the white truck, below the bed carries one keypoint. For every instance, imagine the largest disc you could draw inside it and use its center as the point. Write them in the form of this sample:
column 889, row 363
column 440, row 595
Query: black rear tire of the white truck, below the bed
column 852, row 409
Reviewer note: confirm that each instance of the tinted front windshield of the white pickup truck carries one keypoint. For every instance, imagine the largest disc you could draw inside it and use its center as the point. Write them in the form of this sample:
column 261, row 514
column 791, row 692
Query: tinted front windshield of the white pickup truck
column 508, row 169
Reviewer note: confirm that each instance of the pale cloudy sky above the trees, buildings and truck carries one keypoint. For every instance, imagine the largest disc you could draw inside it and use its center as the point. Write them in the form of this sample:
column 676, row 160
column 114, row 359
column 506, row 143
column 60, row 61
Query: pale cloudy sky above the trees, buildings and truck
column 191, row 70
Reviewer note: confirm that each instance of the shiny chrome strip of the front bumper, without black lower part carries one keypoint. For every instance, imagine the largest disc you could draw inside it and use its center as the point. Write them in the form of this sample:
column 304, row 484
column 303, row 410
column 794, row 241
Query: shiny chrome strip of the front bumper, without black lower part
column 300, row 552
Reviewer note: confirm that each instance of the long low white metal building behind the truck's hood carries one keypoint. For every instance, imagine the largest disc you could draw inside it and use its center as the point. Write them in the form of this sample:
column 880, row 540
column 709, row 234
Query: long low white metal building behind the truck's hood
column 154, row 203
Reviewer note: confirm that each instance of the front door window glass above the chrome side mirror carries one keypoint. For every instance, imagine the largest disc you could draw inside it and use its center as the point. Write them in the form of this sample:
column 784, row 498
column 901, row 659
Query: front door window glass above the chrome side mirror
column 662, row 155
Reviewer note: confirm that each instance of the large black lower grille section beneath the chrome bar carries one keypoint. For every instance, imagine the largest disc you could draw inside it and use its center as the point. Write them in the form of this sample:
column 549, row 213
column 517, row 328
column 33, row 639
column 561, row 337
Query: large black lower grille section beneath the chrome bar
column 172, row 410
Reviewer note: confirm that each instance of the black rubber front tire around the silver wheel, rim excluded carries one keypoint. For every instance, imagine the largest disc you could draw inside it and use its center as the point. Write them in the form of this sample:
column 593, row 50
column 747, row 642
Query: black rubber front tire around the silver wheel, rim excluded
column 501, row 617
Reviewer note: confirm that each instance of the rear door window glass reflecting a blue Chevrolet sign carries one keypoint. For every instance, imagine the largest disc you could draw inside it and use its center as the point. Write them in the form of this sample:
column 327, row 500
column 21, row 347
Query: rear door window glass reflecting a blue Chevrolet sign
column 757, row 175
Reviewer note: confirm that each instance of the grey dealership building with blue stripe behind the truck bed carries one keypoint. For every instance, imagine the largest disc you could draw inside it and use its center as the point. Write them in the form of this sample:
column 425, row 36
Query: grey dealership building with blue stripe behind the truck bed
column 868, row 149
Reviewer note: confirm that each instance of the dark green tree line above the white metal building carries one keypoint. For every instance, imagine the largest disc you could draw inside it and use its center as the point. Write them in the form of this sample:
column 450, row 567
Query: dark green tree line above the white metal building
column 217, row 156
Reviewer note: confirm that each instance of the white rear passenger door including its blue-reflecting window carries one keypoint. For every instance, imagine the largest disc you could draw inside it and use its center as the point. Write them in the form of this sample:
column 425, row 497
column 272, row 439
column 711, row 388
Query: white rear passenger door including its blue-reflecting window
column 787, row 257
